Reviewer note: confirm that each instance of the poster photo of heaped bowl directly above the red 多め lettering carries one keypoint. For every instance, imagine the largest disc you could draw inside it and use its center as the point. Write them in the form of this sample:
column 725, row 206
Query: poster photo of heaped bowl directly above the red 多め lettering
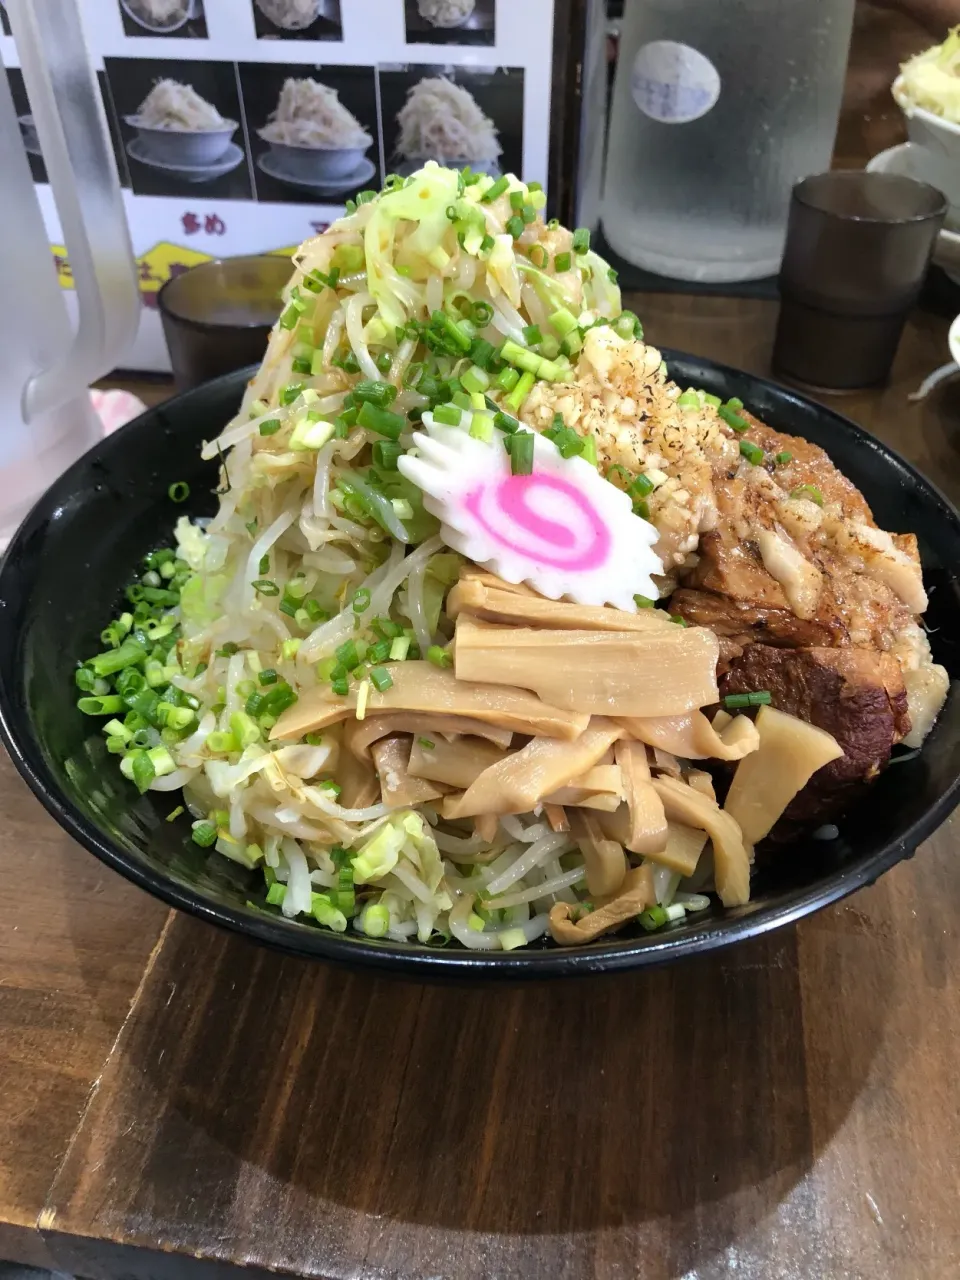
column 181, row 127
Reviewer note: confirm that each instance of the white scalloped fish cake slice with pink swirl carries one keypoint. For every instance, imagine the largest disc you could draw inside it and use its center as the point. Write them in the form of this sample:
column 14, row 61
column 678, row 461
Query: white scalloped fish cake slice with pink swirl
column 564, row 531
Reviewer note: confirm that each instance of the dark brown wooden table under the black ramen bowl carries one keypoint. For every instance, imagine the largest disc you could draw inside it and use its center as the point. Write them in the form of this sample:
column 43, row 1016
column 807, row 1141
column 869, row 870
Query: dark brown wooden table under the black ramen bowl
column 175, row 1099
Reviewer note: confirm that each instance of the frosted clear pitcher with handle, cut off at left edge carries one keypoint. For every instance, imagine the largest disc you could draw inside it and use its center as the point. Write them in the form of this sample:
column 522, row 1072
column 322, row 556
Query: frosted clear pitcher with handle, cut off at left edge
column 45, row 368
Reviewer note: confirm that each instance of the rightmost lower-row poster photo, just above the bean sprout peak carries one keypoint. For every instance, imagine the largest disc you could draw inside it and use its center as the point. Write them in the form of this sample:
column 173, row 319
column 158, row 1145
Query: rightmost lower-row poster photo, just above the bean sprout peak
column 458, row 116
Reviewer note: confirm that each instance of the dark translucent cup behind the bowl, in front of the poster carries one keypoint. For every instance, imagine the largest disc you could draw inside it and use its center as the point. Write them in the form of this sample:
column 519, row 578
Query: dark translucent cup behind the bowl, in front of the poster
column 218, row 317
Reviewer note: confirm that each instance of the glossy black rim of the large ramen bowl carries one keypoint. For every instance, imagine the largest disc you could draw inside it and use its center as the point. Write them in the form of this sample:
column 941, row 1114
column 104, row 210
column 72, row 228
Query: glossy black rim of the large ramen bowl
column 417, row 962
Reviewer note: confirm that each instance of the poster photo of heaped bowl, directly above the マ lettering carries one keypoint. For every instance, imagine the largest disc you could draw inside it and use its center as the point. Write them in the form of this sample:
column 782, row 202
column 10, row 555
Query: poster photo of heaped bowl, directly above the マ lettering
column 313, row 131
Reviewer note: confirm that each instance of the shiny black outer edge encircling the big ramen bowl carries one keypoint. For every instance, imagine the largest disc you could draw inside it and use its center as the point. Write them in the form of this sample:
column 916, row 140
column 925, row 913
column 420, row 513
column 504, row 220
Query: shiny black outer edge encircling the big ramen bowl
column 719, row 930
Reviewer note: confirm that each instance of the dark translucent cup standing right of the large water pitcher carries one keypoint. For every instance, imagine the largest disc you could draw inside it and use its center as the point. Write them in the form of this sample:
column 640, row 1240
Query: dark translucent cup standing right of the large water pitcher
column 858, row 250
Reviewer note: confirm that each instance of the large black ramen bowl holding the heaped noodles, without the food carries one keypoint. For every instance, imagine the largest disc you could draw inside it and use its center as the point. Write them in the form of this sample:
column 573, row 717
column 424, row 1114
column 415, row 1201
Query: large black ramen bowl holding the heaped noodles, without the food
column 61, row 582
